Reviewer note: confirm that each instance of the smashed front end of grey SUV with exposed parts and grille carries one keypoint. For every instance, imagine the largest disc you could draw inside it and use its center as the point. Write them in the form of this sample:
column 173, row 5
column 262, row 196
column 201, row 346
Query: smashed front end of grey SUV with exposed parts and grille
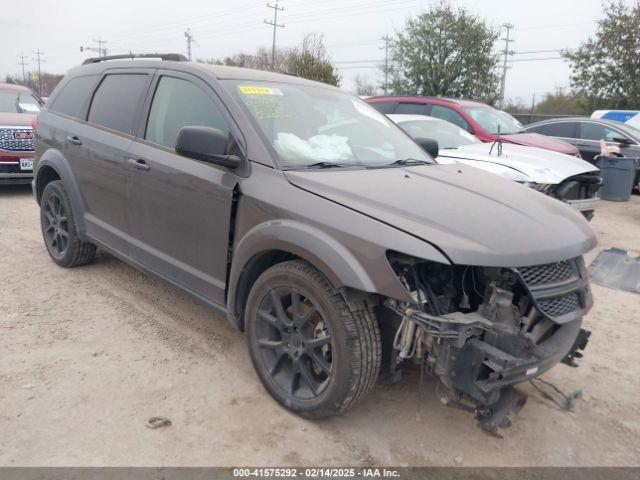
column 481, row 330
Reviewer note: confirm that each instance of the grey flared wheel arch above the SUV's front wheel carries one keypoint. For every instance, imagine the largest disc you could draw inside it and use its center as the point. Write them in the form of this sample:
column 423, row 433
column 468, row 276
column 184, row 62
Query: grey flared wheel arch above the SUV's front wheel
column 279, row 241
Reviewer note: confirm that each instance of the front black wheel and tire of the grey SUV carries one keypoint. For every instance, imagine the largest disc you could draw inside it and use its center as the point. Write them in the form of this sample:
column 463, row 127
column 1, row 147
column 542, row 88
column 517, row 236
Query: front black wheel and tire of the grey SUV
column 353, row 353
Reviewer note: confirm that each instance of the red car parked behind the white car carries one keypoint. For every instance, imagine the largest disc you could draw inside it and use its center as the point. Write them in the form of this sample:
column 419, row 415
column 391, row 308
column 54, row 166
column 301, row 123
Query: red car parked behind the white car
column 476, row 118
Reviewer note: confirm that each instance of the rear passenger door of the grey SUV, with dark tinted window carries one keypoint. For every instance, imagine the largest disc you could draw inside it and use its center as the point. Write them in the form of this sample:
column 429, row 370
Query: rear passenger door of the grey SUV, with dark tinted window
column 102, row 144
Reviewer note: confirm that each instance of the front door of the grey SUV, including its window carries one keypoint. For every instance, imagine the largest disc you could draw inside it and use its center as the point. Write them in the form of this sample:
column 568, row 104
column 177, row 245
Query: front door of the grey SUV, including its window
column 179, row 208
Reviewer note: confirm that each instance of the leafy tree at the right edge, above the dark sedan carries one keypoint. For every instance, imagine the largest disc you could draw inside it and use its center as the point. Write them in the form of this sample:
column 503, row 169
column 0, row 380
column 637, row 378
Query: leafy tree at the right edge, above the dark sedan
column 606, row 68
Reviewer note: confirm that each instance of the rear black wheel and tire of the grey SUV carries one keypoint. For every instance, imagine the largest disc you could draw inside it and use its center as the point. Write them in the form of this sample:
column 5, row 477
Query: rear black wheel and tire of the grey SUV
column 59, row 228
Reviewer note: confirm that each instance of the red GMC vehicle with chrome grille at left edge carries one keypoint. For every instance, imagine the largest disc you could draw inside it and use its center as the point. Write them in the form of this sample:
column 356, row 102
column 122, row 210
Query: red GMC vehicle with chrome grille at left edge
column 18, row 109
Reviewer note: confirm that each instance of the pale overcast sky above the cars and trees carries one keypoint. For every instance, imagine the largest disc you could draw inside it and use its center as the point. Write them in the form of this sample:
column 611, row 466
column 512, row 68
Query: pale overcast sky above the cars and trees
column 351, row 28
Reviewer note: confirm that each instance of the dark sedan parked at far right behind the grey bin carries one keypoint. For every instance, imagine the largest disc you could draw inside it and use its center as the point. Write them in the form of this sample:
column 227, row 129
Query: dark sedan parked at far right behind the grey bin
column 586, row 133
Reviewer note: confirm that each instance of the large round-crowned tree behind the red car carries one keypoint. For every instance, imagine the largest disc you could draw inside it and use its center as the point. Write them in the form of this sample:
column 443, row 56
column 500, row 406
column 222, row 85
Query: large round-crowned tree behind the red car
column 445, row 51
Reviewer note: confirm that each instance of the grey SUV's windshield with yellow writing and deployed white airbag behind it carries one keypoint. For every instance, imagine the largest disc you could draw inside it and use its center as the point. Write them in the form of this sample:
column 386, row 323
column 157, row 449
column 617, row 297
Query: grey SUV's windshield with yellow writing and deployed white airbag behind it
column 320, row 127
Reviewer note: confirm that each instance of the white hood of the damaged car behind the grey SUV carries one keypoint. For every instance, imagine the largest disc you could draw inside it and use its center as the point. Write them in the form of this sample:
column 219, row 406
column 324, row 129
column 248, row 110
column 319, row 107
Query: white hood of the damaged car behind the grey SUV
column 538, row 165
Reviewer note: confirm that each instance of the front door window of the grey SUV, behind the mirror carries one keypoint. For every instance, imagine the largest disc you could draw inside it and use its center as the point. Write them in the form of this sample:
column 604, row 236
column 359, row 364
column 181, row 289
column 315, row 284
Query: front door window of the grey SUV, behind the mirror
column 179, row 103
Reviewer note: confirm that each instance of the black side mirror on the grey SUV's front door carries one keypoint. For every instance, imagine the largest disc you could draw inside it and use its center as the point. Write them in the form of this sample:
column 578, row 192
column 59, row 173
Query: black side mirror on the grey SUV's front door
column 206, row 144
